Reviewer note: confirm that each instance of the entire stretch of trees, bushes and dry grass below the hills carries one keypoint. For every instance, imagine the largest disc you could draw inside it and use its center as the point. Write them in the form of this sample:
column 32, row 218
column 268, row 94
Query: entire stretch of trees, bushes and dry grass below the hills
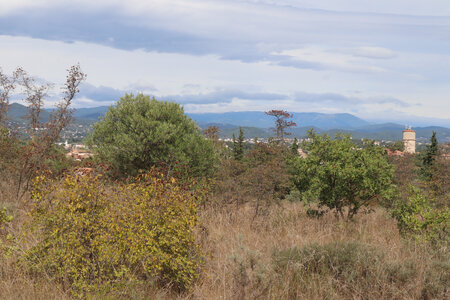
column 168, row 213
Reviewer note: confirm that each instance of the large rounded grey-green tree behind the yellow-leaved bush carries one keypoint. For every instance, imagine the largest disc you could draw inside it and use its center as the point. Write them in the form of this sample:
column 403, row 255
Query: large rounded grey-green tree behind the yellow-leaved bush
column 140, row 133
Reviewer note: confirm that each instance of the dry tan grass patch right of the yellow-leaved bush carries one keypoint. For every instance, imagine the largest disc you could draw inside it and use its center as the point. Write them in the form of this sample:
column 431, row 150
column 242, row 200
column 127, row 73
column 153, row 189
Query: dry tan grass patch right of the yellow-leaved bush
column 241, row 254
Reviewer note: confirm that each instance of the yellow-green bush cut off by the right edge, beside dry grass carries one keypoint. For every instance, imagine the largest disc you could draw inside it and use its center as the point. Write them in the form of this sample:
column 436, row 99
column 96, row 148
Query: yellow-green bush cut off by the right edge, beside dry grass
column 419, row 218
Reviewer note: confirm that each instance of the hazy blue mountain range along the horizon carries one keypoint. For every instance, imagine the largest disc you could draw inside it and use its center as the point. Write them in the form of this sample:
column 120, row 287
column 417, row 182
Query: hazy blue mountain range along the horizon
column 259, row 124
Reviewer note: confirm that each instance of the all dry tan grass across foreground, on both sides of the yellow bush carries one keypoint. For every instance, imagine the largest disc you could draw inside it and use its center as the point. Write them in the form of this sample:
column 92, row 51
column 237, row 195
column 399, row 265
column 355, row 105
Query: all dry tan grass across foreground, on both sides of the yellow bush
column 240, row 254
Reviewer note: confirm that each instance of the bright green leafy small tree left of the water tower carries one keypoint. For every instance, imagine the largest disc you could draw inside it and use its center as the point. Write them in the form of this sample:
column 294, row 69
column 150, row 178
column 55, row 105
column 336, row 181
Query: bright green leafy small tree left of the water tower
column 340, row 176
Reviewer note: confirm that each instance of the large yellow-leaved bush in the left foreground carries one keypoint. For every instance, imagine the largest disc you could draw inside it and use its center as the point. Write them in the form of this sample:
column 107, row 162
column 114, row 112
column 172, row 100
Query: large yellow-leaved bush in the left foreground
column 94, row 236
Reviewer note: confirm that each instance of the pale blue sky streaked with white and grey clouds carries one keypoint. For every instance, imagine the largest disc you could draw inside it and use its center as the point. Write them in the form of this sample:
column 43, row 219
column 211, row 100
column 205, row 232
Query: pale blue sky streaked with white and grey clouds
column 379, row 60
